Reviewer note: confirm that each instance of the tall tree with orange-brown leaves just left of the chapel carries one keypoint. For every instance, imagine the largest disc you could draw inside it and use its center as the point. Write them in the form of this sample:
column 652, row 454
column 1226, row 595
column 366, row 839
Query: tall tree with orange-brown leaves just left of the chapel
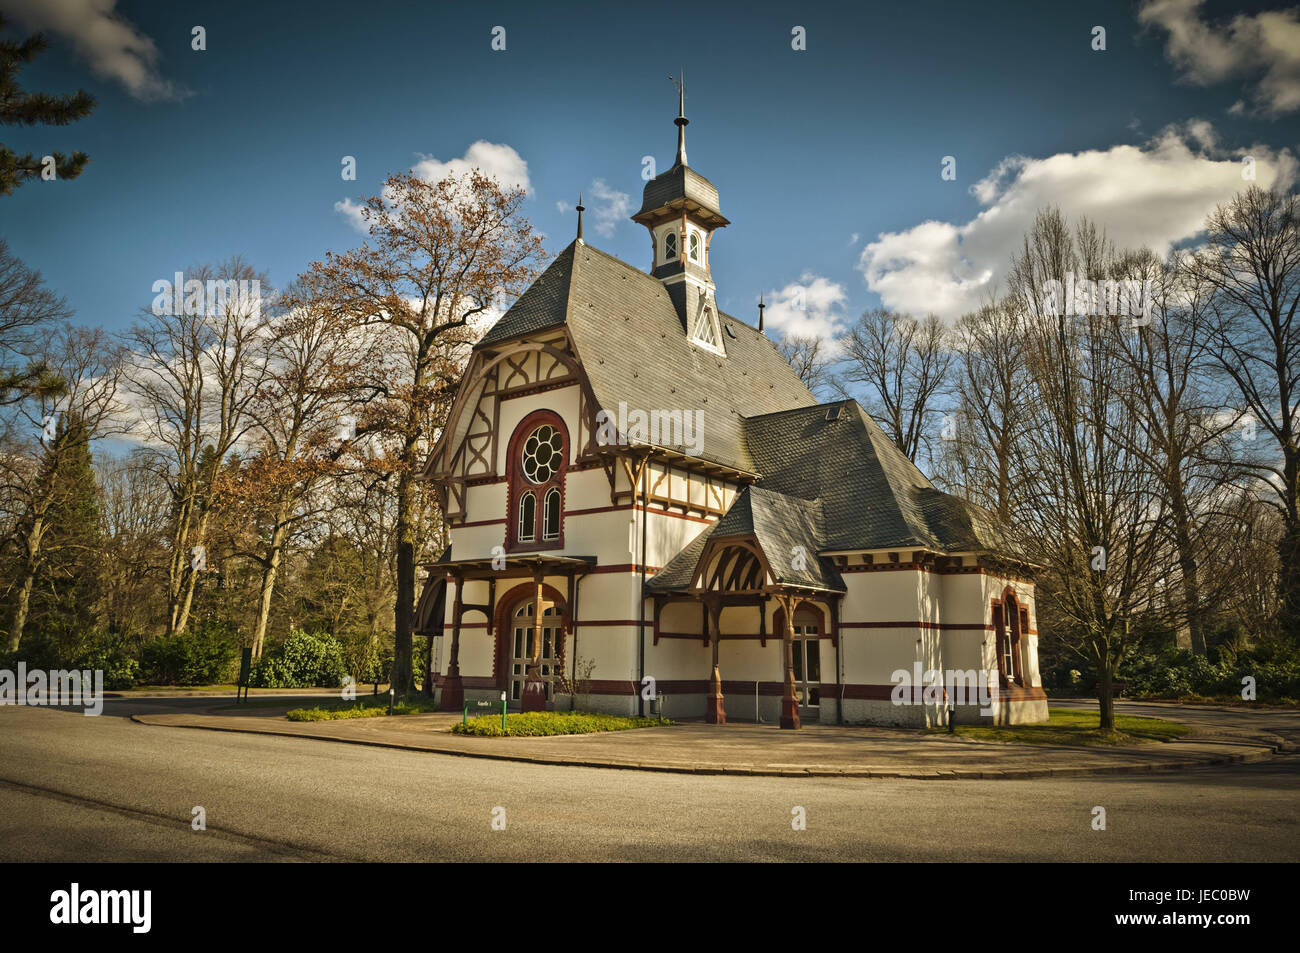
column 439, row 254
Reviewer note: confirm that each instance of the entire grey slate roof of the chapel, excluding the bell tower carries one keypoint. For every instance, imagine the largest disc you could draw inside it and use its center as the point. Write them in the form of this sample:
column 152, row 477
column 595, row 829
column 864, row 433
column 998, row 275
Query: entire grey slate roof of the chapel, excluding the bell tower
column 826, row 486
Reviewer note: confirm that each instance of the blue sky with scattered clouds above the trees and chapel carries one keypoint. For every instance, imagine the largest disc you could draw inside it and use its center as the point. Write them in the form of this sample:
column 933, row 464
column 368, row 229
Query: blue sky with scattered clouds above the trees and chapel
column 827, row 159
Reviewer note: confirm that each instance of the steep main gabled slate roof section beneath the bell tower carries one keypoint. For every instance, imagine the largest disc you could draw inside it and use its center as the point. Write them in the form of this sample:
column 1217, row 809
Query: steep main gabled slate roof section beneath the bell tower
column 634, row 349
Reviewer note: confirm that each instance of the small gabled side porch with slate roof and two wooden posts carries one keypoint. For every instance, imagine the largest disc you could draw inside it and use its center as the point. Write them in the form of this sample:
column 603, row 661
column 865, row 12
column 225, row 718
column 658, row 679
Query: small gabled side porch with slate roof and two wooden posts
column 764, row 548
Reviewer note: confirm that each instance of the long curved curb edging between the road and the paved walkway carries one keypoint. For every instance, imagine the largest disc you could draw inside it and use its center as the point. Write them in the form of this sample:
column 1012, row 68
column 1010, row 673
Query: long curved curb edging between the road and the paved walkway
column 1263, row 752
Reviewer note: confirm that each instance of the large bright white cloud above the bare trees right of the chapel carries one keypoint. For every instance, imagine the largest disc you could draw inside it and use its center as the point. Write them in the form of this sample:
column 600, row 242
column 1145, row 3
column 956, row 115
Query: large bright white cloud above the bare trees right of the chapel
column 1152, row 196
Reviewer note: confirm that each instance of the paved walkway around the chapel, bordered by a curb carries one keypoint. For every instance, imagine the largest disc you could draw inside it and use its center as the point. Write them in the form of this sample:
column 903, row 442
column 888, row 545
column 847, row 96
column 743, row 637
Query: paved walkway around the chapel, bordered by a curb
column 748, row 750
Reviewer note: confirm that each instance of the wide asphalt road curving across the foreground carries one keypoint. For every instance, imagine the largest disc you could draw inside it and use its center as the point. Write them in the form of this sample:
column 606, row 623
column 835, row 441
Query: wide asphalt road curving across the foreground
column 76, row 789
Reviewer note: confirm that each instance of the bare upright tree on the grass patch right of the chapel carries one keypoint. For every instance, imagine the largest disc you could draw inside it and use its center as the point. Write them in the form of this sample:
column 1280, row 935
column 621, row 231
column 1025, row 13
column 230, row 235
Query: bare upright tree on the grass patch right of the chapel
column 1093, row 509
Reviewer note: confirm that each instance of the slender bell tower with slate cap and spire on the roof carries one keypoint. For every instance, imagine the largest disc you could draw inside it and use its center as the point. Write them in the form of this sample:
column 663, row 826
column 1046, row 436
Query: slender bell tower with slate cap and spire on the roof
column 681, row 211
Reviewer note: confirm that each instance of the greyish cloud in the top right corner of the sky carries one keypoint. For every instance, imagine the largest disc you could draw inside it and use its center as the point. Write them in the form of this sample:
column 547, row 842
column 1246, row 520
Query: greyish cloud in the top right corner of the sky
column 1264, row 46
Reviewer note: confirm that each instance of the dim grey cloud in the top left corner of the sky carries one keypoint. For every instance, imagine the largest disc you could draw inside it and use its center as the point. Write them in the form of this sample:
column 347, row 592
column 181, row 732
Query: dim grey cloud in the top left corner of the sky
column 112, row 45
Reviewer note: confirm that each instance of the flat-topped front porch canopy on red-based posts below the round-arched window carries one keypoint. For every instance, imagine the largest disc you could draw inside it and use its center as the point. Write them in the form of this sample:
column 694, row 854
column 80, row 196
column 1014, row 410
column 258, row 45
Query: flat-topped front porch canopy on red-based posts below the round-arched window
column 536, row 566
